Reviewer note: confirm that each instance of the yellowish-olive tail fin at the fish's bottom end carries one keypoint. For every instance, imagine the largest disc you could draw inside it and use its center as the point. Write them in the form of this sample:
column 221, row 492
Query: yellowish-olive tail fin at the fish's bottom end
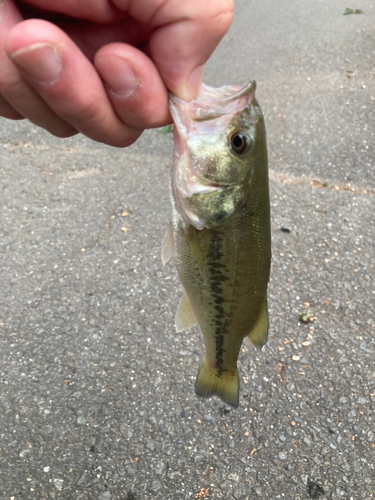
column 209, row 383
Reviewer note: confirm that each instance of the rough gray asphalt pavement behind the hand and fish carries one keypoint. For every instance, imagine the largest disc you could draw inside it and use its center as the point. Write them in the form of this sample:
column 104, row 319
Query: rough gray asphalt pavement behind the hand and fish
column 97, row 390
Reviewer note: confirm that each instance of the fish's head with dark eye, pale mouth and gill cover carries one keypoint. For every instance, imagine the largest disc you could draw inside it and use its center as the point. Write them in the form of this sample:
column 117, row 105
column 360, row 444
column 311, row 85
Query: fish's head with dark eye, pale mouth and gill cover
column 219, row 139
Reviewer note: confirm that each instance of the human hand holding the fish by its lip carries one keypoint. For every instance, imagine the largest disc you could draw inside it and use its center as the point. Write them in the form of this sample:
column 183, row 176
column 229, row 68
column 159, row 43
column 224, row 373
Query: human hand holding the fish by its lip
column 104, row 67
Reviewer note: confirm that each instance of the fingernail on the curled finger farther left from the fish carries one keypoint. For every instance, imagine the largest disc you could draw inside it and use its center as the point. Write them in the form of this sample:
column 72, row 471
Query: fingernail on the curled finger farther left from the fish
column 41, row 61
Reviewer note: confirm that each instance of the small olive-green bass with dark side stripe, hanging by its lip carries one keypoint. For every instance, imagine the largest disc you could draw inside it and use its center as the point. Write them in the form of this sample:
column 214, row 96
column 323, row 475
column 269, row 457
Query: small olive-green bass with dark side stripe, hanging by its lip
column 219, row 233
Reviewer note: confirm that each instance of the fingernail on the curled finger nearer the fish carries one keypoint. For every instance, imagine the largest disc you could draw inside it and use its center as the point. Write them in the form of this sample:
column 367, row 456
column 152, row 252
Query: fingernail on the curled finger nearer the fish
column 118, row 75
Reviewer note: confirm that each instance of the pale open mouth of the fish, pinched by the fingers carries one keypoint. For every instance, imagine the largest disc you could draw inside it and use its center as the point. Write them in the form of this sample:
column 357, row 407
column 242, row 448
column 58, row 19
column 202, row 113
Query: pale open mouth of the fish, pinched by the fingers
column 214, row 102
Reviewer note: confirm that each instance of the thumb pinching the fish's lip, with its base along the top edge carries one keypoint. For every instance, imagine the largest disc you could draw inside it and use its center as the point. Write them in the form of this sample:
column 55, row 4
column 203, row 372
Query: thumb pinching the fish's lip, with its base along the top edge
column 186, row 32
